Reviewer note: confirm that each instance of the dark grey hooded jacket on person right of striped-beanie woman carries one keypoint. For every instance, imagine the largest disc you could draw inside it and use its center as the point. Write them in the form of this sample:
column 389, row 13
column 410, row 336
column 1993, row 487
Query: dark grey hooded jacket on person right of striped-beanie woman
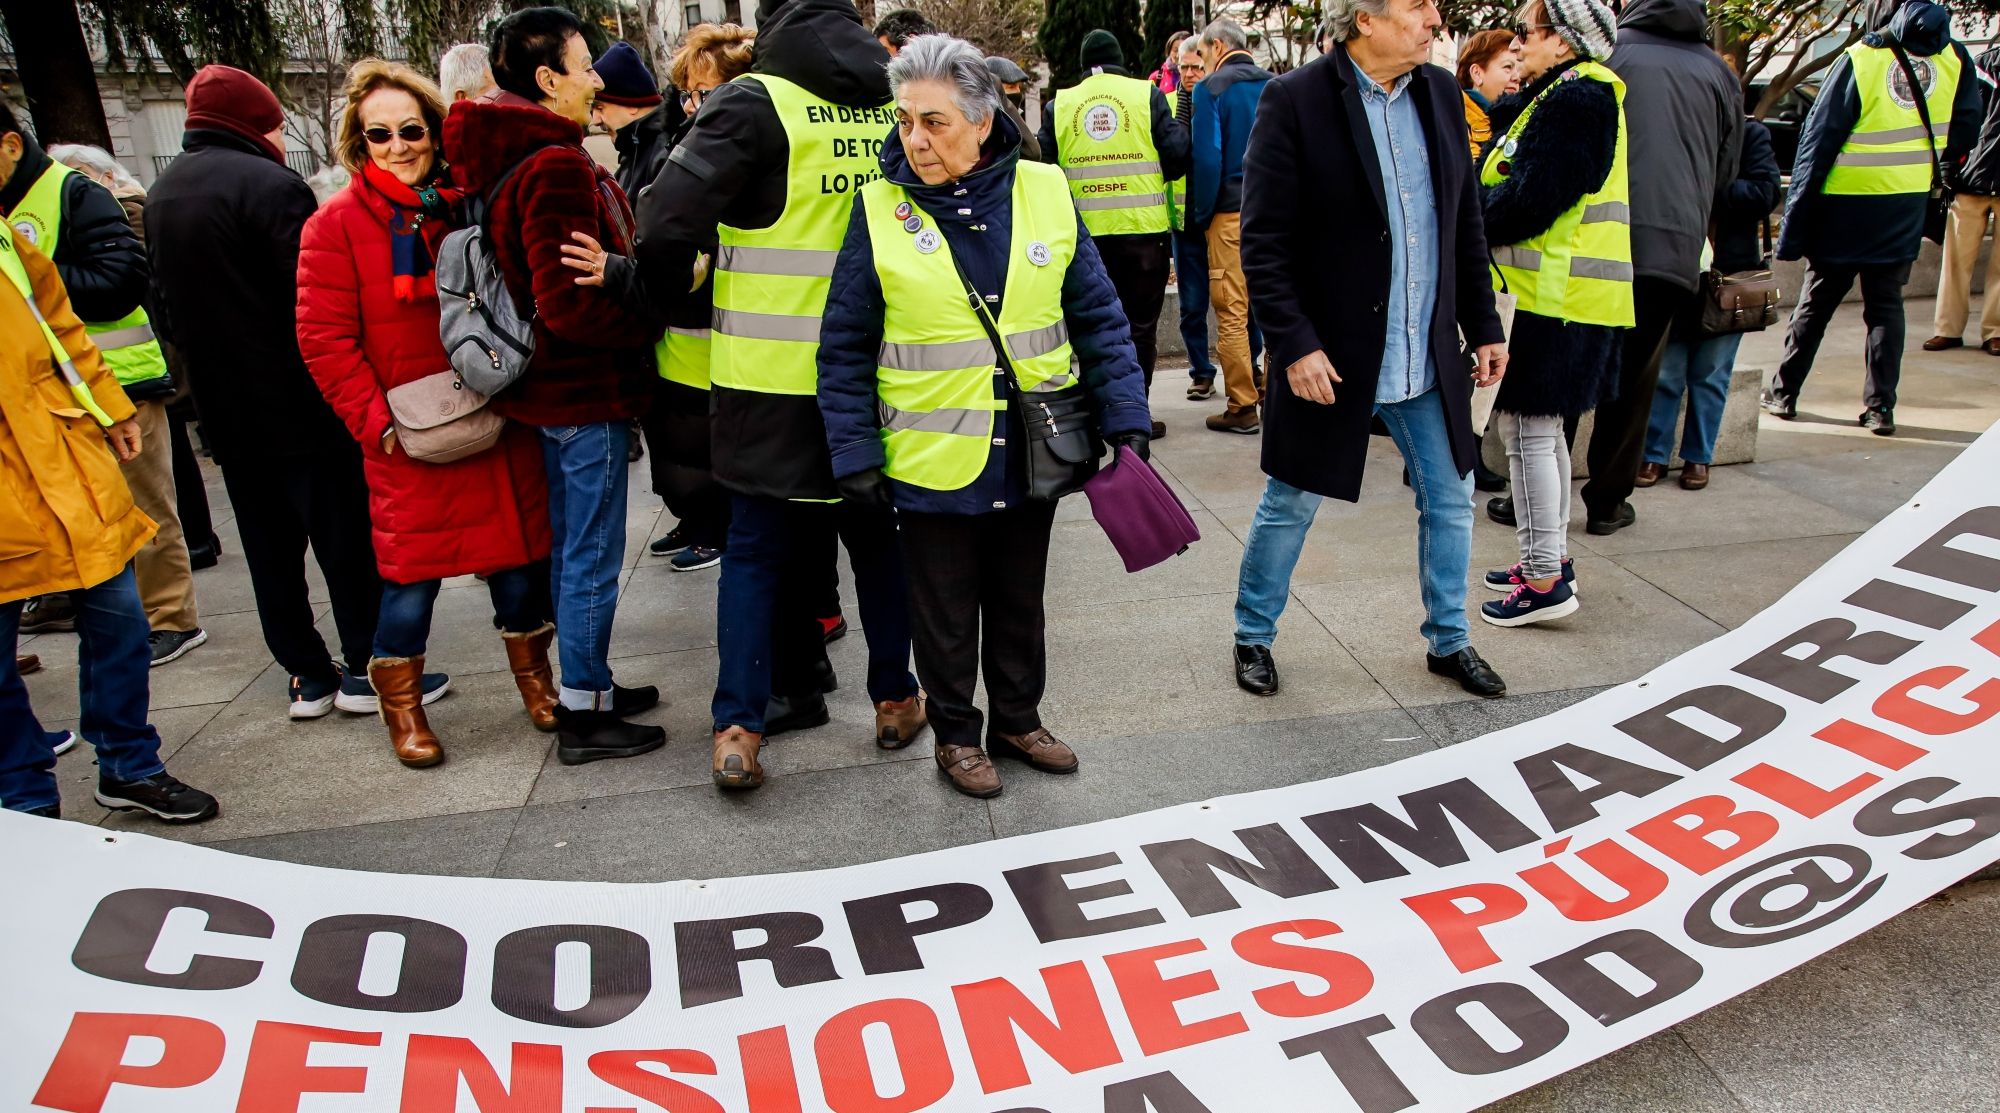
column 1685, row 131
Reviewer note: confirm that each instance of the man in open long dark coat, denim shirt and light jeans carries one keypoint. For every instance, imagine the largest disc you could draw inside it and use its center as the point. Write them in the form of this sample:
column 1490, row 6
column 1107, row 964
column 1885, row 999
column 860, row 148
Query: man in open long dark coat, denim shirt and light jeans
column 1367, row 261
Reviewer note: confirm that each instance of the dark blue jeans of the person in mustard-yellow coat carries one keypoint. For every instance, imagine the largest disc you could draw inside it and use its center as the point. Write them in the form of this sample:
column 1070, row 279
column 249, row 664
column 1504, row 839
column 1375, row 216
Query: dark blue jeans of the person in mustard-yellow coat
column 113, row 680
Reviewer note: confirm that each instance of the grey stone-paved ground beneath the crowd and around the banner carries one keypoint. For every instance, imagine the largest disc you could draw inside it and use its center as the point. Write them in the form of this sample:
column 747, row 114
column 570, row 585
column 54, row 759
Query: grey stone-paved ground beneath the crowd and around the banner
column 1905, row 1018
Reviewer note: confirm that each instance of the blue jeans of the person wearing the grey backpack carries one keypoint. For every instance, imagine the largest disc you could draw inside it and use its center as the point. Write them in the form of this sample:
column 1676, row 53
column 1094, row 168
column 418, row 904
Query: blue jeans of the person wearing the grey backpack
column 587, row 507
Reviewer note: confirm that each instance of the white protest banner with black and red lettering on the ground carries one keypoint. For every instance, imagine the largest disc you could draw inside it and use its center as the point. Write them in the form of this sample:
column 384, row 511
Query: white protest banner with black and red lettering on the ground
column 1425, row 936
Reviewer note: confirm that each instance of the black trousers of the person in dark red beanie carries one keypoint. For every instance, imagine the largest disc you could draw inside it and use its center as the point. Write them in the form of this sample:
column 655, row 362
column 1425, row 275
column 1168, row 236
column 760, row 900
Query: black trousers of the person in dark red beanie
column 281, row 507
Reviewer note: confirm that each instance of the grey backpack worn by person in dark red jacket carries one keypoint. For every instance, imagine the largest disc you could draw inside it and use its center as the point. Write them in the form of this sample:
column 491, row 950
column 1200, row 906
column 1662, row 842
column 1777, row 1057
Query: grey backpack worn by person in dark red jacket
column 487, row 339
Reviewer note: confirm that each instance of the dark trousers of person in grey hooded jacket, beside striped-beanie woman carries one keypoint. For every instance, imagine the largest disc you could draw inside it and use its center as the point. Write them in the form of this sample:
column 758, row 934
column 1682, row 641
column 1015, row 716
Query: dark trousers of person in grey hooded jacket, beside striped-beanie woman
column 1619, row 437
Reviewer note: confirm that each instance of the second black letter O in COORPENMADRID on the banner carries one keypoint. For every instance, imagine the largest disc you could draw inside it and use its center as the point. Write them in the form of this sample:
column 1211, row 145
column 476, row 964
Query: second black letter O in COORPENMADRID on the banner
column 525, row 974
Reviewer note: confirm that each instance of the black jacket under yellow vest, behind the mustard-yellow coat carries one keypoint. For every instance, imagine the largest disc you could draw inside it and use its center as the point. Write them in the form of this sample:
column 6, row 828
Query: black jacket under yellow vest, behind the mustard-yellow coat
column 97, row 253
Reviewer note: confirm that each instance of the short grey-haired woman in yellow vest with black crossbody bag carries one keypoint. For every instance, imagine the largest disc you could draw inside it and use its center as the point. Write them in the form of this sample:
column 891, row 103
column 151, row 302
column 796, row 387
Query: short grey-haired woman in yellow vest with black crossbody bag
column 917, row 401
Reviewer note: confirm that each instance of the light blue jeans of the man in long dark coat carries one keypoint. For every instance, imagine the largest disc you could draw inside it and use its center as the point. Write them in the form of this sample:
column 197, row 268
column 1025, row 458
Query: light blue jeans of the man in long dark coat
column 1443, row 533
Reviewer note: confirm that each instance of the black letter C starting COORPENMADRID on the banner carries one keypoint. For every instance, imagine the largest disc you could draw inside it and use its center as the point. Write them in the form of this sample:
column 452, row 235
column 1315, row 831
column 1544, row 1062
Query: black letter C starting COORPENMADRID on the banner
column 125, row 928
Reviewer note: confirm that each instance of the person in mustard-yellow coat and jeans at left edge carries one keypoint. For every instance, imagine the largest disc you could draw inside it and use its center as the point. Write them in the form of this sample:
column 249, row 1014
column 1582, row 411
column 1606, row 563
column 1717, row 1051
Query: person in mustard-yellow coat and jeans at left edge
column 69, row 525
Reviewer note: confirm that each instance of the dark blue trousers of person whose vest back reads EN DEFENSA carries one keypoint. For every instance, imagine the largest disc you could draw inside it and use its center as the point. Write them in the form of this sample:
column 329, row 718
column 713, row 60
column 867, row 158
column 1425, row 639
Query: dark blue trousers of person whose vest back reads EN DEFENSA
column 773, row 596
